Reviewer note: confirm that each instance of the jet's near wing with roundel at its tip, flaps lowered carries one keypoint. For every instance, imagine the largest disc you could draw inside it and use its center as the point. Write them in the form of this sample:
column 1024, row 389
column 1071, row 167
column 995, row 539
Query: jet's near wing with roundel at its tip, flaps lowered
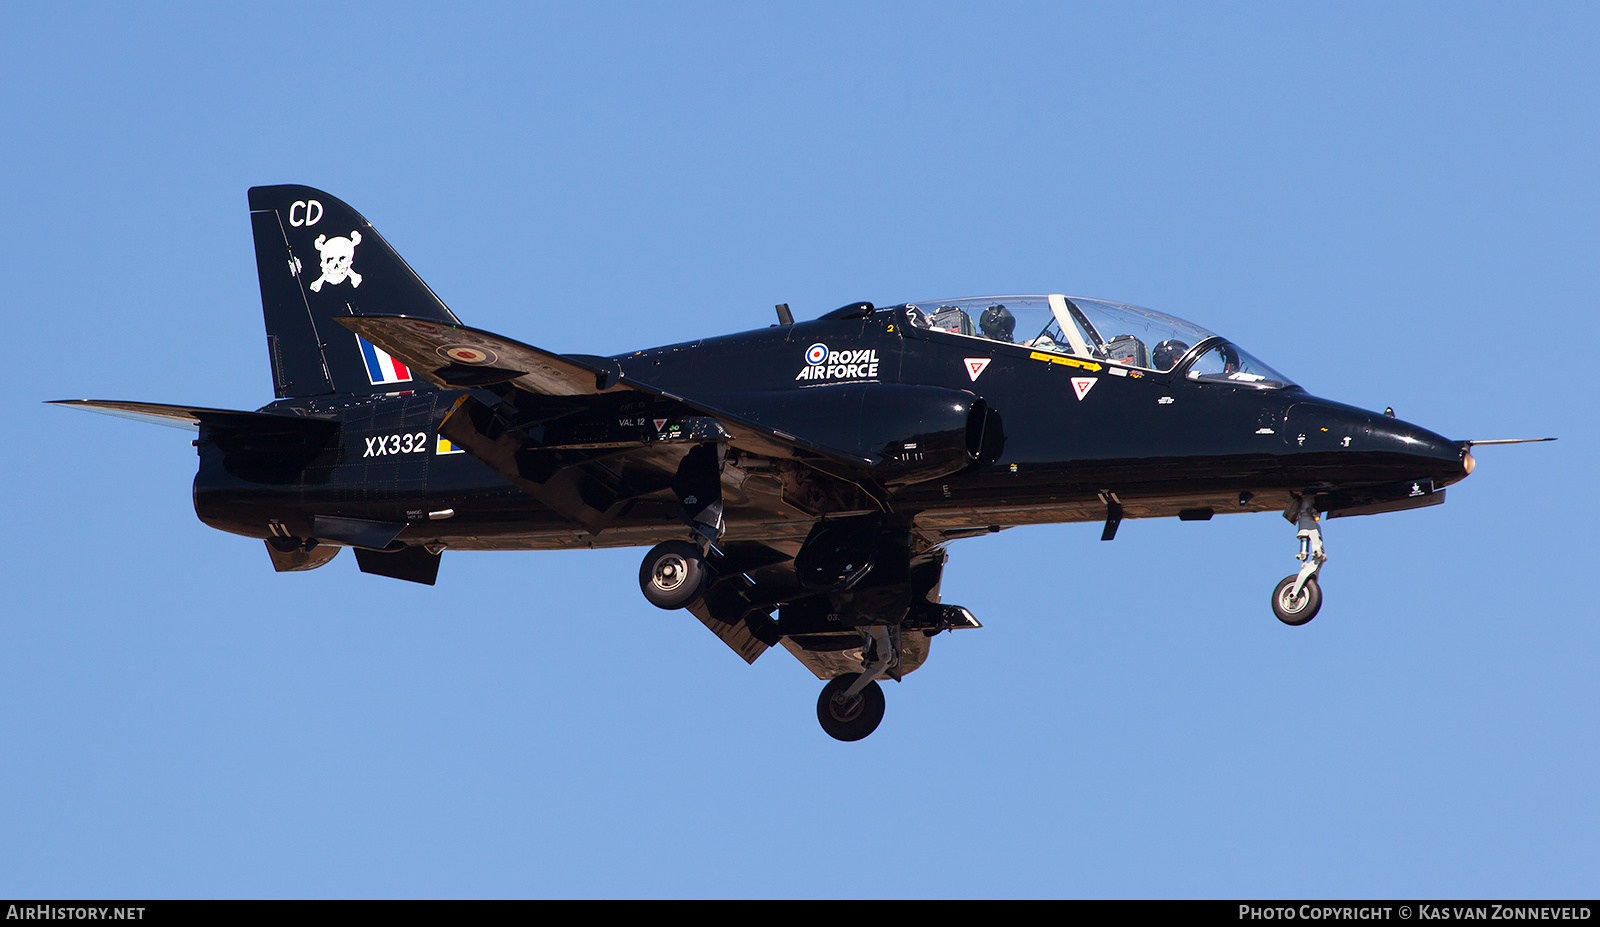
column 594, row 446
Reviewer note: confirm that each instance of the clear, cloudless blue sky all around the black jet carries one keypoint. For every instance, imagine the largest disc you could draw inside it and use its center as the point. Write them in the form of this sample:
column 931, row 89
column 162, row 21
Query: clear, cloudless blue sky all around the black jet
column 1391, row 204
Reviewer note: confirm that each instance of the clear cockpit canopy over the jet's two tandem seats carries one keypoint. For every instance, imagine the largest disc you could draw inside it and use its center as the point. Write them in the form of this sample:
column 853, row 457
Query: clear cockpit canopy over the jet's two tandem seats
column 1098, row 331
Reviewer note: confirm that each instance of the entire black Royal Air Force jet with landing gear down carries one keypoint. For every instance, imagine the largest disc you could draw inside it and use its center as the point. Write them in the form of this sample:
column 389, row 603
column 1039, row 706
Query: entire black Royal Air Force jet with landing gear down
column 799, row 483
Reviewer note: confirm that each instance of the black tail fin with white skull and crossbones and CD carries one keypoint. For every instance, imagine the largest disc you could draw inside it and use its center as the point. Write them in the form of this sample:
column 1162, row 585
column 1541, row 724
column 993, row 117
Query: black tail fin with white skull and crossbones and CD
column 319, row 260
